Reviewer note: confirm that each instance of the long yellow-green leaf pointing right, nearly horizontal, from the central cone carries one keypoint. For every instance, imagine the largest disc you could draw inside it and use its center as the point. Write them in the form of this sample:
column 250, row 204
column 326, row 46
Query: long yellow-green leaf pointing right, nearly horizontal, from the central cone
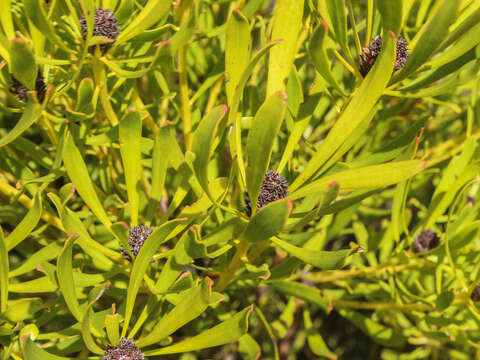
column 364, row 178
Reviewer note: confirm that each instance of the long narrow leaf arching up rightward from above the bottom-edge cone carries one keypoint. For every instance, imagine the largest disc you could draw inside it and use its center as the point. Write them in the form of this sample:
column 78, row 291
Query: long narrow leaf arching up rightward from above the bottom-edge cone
column 141, row 263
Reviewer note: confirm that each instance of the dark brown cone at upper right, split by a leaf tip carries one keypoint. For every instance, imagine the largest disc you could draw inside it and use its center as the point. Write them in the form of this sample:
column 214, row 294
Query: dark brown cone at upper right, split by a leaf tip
column 370, row 53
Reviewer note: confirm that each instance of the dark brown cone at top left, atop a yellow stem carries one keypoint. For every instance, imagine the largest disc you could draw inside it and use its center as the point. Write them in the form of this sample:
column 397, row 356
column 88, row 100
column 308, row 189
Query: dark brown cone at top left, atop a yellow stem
column 105, row 24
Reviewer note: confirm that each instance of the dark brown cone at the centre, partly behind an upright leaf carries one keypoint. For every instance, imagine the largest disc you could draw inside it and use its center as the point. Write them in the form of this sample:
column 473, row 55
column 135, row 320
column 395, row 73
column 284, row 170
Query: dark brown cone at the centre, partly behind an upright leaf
column 274, row 188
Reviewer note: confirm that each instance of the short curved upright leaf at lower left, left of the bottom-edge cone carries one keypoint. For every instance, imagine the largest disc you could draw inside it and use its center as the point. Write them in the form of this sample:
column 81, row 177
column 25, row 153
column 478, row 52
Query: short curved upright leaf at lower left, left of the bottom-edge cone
column 65, row 278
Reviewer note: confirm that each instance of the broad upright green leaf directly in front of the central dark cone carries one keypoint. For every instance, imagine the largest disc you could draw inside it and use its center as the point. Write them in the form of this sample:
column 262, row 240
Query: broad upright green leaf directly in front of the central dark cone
column 261, row 137
